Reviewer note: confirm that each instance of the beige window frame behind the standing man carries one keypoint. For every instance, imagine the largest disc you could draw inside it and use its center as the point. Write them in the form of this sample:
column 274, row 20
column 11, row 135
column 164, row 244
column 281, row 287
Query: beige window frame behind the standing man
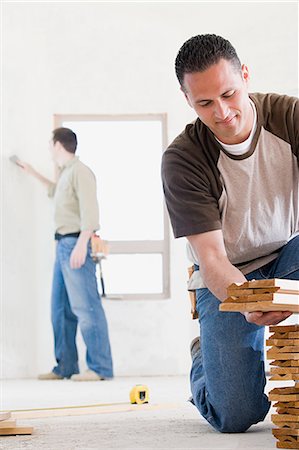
column 161, row 247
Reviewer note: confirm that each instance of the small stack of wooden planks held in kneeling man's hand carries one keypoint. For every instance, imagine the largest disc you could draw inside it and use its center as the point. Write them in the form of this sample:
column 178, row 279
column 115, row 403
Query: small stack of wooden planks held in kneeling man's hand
column 262, row 295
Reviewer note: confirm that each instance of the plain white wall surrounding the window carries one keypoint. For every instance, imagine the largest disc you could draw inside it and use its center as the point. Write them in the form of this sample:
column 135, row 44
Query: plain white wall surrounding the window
column 108, row 58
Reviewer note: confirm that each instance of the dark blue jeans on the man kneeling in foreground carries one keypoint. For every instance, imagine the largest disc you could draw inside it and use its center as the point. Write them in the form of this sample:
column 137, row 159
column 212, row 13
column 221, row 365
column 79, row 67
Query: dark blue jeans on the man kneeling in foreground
column 227, row 376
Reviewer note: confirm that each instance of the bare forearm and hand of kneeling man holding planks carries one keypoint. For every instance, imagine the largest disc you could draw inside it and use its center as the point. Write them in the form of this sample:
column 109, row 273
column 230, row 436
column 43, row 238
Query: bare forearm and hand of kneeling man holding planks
column 218, row 273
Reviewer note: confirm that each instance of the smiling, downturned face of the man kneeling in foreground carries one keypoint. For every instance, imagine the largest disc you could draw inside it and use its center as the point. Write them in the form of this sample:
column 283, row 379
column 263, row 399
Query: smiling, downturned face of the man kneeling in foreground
column 219, row 95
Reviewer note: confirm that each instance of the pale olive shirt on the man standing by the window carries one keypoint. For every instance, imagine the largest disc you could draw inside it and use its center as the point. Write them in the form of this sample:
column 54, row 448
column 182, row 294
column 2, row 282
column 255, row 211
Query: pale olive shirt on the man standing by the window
column 75, row 199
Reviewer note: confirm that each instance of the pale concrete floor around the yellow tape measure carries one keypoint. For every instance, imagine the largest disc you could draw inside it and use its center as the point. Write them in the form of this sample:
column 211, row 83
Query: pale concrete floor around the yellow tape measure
column 169, row 421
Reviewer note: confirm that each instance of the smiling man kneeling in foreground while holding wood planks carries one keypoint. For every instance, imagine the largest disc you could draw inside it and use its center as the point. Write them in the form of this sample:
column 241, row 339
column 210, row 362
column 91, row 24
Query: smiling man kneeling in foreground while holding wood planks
column 231, row 187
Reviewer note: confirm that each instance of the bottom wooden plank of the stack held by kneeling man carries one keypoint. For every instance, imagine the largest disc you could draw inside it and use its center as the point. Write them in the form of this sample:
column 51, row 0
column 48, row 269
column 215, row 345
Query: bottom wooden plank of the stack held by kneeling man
column 257, row 306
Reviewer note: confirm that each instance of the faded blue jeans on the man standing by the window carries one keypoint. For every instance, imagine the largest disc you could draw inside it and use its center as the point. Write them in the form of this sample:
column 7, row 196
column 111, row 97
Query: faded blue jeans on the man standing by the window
column 75, row 299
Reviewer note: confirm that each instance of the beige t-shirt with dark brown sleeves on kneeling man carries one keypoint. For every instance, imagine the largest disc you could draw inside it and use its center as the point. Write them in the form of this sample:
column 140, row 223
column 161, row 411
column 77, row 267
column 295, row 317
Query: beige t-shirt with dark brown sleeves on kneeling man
column 253, row 198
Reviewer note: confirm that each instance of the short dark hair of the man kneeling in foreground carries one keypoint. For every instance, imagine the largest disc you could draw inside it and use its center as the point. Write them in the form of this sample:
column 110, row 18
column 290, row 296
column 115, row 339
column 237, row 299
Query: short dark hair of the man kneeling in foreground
column 202, row 51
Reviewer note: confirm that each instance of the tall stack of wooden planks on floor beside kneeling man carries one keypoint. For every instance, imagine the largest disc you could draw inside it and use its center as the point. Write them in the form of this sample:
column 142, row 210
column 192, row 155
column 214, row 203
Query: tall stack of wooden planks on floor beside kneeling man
column 284, row 351
